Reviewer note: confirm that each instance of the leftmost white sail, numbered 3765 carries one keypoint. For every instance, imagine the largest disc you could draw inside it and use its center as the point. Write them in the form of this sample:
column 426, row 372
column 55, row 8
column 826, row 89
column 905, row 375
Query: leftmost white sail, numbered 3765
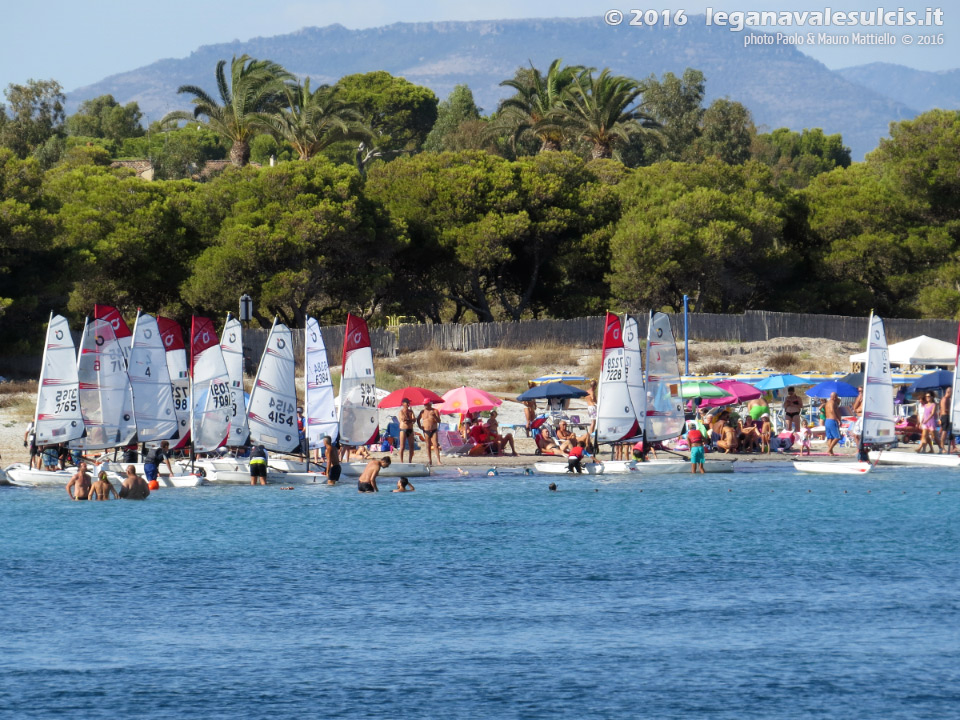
column 58, row 418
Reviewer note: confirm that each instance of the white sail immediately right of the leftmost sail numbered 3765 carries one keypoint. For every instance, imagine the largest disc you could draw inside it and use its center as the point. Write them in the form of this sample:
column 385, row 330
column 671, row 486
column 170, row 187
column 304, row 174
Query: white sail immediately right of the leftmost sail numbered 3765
column 106, row 398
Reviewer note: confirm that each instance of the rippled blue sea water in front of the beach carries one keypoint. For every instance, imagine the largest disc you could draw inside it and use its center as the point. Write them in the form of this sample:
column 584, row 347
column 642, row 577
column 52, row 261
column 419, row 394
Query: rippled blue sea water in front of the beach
column 753, row 595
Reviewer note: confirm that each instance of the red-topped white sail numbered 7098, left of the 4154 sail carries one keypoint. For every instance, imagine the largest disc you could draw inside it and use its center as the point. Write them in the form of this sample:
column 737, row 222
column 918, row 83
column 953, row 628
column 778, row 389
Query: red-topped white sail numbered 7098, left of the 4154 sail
column 210, row 389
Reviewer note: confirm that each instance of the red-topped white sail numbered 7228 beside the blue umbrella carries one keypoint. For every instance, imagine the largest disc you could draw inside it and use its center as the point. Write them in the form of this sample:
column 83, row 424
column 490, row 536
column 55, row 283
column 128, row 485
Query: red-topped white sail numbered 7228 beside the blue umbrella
column 616, row 419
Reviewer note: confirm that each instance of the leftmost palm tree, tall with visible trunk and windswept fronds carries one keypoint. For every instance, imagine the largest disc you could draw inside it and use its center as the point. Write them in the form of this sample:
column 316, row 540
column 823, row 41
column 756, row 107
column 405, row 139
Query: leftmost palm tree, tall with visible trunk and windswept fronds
column 255, row 91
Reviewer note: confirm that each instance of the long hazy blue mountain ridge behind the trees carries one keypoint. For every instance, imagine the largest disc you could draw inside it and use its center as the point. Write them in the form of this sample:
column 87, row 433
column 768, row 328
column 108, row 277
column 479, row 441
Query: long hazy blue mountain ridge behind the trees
column 780, row 85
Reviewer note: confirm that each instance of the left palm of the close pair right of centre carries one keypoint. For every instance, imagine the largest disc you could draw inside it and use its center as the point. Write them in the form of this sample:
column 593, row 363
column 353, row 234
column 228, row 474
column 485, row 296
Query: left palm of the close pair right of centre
column 533, row 108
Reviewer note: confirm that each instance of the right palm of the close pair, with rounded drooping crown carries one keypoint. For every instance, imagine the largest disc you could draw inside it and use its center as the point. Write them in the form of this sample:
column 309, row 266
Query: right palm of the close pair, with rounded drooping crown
column 600, row 110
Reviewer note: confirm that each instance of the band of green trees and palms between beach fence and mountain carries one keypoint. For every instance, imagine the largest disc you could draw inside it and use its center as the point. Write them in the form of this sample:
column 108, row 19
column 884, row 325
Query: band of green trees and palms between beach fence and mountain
column 582, row 191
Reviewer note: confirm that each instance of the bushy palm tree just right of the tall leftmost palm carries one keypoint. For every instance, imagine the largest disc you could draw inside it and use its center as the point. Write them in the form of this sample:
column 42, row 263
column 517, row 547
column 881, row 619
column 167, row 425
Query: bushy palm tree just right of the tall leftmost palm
column 313, row 120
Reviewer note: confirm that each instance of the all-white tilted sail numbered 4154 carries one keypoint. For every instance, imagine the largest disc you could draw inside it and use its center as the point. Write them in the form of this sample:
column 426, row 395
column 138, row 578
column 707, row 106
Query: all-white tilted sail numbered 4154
column 272, row 416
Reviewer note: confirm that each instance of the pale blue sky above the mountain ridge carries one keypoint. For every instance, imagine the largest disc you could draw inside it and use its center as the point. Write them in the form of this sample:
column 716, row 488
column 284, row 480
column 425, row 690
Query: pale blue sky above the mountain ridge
column 78, row 43
